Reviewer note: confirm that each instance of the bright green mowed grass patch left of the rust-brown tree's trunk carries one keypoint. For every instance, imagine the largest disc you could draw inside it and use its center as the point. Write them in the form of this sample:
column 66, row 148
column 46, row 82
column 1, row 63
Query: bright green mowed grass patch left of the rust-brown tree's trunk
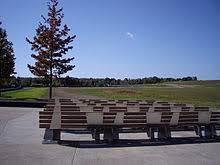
column 25, row 94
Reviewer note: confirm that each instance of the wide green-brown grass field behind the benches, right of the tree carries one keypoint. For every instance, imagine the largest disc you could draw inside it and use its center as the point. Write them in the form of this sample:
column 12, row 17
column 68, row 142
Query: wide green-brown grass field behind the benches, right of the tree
column 201, row 93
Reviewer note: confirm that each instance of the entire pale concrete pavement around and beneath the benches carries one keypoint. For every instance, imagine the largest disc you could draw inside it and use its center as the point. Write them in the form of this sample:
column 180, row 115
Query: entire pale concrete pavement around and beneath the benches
column 21, row 144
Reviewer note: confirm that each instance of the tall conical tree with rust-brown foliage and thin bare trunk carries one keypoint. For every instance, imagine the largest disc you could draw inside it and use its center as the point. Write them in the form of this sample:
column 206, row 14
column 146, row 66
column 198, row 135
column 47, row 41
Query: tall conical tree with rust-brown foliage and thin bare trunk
column 51, row 43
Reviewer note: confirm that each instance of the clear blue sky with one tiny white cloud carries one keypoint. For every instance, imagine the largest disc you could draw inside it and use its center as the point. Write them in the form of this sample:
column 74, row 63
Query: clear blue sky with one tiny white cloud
column 126, row 38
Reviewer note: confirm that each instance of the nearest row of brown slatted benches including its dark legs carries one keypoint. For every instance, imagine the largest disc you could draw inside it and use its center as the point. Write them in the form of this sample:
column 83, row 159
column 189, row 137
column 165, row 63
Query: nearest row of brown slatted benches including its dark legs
column 162, row 120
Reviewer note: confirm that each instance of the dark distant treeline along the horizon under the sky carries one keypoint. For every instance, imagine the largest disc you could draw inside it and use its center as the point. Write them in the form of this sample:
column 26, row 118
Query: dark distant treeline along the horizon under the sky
column 92, row 82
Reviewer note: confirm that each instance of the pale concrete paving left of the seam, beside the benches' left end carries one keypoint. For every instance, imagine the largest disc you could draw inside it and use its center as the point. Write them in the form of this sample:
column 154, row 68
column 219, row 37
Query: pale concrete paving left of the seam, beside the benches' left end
column 20, row 140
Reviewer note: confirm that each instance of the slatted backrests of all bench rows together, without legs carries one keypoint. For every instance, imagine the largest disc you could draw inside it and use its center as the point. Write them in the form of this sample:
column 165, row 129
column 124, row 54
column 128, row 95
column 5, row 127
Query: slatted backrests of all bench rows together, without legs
column 65, row 113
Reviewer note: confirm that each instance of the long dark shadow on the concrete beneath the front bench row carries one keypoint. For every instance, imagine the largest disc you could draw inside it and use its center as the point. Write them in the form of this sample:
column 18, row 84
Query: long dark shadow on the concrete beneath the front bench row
column 137, row 142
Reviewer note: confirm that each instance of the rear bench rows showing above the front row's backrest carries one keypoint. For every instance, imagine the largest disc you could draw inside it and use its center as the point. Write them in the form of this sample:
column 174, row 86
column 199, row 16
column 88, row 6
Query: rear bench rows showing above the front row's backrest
column 117, row 107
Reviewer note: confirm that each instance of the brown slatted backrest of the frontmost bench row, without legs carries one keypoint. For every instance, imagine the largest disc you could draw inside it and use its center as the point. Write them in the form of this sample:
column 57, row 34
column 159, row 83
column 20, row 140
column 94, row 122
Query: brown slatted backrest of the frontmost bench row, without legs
column 72, row 119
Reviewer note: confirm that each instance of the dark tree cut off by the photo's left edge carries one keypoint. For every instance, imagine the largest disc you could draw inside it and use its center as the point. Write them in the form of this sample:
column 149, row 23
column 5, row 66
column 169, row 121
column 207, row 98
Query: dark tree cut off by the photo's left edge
column 7, row 58
